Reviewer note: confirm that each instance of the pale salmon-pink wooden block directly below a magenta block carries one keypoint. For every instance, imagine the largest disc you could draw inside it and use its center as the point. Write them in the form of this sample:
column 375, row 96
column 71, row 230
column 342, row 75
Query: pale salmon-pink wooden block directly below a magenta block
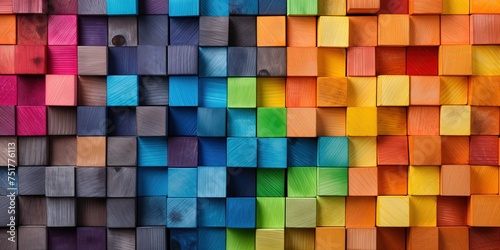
column 60, row 90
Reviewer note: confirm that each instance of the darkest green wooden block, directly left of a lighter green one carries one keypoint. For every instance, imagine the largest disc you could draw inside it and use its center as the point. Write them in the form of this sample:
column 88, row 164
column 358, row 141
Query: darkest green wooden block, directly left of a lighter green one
column 270, row 182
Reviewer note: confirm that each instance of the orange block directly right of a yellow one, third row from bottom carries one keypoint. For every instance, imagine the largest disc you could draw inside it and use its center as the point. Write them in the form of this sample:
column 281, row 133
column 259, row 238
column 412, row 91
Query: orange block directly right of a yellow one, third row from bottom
column 455, row 180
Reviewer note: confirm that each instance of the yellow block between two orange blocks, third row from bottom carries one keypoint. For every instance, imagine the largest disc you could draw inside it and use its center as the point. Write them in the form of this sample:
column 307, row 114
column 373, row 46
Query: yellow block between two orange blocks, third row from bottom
column 423, row 180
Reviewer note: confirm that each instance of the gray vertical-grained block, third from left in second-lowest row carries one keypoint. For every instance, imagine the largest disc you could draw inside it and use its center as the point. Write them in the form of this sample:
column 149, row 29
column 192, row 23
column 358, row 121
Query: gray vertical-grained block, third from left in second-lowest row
column 61, row 212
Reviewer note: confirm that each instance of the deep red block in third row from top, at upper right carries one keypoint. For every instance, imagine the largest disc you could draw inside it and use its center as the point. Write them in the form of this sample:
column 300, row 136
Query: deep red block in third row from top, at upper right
column 422, row 60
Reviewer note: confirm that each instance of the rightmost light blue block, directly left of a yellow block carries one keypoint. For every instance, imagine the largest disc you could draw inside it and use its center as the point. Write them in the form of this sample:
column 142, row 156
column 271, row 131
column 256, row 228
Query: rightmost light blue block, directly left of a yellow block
column 333, row 152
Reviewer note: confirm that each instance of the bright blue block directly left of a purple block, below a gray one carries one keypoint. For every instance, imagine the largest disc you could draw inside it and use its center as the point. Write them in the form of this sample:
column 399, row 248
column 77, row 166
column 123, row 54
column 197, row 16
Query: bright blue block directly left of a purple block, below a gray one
column 152, row 151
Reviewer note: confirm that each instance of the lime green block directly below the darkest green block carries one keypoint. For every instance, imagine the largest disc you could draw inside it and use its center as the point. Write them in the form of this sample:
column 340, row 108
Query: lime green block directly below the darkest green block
column 270, row 212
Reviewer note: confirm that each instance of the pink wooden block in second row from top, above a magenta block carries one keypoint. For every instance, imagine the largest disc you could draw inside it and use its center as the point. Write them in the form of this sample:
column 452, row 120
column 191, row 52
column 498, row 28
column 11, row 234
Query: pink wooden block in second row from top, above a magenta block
column 62, row 30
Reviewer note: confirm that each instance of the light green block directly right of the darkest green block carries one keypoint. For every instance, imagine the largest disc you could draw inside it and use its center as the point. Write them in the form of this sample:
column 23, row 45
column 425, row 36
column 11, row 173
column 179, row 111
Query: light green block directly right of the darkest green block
column 302, row 182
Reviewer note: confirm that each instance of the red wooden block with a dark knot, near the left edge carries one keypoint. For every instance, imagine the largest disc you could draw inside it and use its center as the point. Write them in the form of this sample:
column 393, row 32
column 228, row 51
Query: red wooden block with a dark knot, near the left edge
column 30, row 59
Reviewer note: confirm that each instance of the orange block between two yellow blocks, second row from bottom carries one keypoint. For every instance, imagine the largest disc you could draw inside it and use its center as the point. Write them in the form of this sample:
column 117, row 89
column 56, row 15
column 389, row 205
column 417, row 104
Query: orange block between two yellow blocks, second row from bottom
column 360, row 212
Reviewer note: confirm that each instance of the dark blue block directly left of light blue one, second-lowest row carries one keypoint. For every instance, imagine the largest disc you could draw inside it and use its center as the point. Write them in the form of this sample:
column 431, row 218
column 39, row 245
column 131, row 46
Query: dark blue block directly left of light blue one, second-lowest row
column 152, row 211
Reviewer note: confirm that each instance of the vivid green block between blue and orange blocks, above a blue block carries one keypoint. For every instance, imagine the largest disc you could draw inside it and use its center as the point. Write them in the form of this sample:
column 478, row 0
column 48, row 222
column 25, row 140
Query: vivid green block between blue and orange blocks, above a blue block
column 271, row 122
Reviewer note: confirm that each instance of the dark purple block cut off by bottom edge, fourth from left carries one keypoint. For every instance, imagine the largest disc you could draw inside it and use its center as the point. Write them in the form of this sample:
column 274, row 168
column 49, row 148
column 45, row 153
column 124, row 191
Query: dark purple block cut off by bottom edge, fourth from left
column 91, row 238
